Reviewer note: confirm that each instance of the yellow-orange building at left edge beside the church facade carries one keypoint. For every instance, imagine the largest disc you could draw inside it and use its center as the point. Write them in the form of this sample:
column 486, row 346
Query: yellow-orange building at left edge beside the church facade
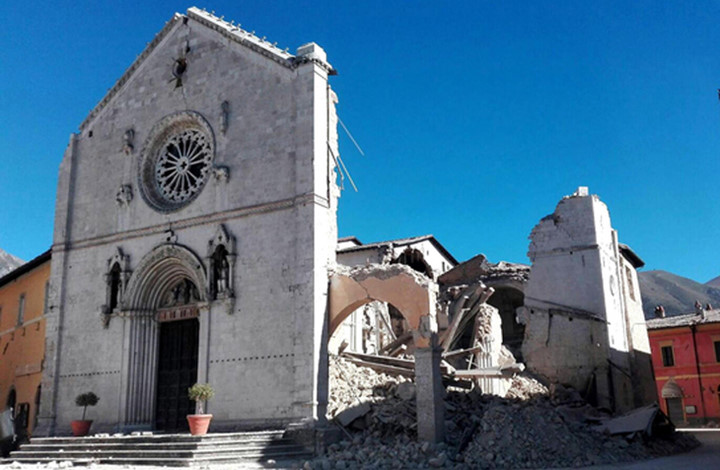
column 23, row 294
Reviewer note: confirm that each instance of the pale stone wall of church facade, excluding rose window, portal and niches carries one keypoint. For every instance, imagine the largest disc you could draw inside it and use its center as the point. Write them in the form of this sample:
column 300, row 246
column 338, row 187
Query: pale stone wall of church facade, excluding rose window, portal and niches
column 261, row 351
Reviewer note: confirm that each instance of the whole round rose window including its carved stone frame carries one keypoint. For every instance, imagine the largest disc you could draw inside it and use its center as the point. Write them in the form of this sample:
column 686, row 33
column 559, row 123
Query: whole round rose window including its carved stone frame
column 176, row 161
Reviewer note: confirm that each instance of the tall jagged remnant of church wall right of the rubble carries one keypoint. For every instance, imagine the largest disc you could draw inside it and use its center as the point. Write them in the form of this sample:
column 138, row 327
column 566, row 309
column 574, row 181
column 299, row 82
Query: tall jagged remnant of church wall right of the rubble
column 577, row 323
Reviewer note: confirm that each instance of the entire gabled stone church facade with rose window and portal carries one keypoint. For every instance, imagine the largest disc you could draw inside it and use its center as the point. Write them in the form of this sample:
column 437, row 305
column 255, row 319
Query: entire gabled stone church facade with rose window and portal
column 195, row 224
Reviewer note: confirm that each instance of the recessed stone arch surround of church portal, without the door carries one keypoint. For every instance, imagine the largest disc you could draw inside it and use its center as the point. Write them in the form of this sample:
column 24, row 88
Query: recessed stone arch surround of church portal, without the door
column 157, row 273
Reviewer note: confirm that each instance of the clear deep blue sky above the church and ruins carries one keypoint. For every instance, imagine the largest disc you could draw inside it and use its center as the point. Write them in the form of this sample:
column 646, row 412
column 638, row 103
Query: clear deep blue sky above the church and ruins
column 475, row 117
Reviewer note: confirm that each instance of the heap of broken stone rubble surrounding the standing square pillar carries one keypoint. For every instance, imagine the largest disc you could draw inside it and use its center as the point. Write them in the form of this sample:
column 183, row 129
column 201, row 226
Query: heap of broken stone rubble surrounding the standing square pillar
column 533, row 427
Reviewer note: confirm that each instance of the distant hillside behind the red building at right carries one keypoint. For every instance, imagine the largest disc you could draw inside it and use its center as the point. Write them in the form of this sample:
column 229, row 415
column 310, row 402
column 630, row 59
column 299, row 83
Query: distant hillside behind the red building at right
column 676, row 293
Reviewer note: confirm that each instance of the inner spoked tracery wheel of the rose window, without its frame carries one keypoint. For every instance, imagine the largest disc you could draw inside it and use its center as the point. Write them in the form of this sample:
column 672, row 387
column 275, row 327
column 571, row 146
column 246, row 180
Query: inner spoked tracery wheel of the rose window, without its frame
column 182, row 165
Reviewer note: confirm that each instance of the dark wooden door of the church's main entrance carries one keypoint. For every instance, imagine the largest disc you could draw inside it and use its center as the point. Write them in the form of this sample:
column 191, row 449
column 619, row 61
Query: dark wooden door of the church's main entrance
column 177, row 371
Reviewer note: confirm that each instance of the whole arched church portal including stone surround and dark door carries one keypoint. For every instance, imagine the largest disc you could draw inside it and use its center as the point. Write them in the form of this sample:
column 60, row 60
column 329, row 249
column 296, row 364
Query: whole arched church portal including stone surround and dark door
column 165, row 303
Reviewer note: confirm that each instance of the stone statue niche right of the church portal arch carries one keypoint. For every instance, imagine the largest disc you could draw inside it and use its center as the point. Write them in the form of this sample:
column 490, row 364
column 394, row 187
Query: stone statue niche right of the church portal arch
column 221, row 266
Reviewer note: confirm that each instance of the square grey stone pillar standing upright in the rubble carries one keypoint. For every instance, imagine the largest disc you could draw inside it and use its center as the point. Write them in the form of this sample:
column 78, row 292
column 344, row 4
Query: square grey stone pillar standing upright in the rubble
column 430, row 395
